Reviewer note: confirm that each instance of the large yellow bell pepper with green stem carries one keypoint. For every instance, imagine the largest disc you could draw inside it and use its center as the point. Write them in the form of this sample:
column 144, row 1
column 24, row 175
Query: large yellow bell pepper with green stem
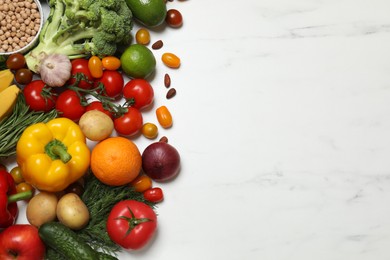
column 53, row 155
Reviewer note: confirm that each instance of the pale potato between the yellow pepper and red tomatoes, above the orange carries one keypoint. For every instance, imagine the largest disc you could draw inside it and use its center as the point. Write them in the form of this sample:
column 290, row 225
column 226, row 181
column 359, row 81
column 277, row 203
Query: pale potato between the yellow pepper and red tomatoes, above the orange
column 96, row 125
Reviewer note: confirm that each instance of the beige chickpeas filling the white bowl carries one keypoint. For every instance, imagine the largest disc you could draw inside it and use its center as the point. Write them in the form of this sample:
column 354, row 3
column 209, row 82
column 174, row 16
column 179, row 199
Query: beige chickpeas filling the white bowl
column 19, row 24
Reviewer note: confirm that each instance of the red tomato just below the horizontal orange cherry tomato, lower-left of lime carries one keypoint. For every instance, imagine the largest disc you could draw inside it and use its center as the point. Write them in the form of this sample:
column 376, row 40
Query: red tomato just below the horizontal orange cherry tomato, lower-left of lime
column 113, row 83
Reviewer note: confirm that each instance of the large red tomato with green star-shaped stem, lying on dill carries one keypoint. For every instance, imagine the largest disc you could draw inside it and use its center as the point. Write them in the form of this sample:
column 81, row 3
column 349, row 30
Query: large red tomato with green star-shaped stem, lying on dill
column 131, row 224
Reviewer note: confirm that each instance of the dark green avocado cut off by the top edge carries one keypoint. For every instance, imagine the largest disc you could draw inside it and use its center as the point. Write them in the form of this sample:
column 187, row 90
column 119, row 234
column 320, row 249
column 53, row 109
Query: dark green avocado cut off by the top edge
column 149, row 12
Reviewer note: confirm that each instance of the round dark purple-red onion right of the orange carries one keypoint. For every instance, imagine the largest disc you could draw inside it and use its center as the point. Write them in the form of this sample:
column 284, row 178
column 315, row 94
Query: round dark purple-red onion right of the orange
column 161, row 161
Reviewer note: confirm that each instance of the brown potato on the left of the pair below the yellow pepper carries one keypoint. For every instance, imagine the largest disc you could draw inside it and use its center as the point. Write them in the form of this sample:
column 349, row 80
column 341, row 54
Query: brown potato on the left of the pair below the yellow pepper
column 41, row 208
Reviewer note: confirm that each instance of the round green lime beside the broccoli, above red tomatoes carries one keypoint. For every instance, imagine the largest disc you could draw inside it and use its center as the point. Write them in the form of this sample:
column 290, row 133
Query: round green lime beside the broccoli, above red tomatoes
column 138, row 61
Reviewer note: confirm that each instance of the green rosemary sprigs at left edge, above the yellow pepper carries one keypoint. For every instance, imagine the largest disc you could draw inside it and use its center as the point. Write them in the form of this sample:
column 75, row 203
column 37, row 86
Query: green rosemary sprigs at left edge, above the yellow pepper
column 12, row 127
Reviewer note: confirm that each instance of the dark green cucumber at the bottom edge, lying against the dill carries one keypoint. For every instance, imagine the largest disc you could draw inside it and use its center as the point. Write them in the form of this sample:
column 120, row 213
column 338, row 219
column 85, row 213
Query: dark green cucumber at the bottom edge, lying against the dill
column 67, row 243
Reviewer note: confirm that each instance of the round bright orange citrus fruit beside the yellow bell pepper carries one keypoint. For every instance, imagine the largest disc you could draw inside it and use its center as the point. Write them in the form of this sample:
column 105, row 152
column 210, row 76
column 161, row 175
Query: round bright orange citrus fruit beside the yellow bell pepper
column 116, row 161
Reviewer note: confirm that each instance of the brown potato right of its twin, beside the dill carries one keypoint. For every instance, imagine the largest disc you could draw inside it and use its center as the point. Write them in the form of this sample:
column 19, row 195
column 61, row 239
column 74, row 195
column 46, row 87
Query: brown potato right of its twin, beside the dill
column 72, row 212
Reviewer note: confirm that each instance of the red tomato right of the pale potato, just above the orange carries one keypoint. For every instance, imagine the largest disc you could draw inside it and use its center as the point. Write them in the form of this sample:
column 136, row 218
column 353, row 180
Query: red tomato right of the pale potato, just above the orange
column 129, row 123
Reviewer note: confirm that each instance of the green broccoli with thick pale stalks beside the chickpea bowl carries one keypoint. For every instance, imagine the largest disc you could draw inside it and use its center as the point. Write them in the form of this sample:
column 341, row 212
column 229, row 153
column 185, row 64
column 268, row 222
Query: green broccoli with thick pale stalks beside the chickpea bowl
column 81, row 28
